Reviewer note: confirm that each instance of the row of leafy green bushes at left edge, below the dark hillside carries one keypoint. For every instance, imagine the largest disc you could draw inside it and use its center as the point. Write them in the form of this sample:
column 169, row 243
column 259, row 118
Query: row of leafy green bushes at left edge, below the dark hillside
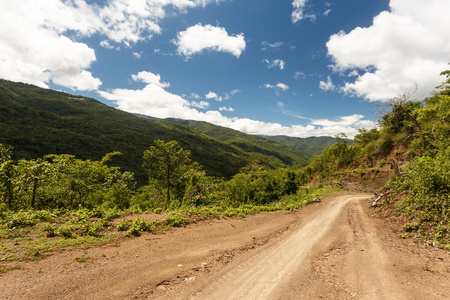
column 62, row 181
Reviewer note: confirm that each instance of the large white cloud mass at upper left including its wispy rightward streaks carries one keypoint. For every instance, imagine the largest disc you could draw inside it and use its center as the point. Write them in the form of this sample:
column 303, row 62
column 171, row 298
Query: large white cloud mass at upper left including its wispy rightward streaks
column 40, row 41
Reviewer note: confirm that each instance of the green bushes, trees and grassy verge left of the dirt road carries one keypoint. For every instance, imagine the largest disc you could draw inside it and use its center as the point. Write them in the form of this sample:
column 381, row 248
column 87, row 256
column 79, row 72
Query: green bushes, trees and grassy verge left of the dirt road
column 59, row 202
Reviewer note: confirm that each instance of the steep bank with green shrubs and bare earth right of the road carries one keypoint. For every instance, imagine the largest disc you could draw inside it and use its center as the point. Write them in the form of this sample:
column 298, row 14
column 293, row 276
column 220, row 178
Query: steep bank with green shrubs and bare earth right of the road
column 413, row 138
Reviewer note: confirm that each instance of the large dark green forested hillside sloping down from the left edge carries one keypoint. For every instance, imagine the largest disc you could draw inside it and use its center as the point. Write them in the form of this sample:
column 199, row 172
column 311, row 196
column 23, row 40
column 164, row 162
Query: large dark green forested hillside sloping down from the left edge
column 38, row 121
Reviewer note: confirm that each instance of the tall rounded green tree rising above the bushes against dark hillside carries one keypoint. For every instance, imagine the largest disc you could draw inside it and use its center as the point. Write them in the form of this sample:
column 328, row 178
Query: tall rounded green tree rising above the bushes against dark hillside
column 168, row 165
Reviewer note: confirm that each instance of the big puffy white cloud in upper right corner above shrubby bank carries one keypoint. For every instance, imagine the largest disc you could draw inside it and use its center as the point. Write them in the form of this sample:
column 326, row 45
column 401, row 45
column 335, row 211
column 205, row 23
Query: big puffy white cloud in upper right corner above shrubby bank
column 405, row 46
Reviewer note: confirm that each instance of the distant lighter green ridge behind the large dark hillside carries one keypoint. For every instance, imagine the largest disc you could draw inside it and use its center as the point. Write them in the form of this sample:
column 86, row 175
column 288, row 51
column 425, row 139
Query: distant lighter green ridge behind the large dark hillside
column 286, row 154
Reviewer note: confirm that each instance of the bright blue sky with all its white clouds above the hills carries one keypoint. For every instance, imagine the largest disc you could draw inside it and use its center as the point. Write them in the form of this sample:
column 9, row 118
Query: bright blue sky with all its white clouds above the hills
column 298, row 68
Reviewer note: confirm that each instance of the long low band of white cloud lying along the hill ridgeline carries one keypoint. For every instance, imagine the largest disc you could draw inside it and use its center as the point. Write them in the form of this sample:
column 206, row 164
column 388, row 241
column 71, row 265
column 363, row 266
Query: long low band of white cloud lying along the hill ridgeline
column 154, row 101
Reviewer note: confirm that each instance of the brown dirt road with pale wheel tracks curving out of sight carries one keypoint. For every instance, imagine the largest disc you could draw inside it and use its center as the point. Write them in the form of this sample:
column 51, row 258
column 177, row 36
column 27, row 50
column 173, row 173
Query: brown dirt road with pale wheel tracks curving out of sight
column 330, row 250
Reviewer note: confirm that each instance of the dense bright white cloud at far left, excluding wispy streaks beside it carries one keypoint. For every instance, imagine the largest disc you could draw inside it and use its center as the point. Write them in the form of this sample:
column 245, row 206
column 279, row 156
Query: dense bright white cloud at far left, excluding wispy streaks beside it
column 33, row 49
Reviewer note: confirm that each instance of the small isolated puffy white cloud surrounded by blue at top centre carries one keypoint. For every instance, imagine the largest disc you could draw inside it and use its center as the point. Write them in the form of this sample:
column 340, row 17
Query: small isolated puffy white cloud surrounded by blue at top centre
column 197, row 38
